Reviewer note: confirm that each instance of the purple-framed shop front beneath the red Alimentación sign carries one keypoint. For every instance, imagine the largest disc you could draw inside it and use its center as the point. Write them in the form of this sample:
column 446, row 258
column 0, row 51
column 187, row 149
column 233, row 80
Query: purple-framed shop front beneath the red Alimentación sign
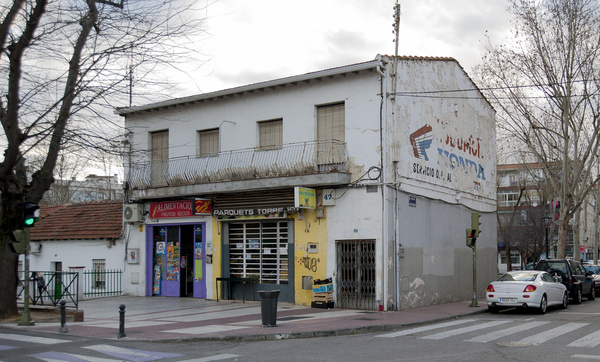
column 176, row 260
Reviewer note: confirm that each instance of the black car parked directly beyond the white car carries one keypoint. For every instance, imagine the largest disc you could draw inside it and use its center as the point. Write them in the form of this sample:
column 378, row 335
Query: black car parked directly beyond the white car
column 573, row 275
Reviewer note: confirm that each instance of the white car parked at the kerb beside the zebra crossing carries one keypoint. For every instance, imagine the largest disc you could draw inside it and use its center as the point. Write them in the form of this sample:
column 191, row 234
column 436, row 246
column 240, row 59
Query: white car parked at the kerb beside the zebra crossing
column 526, row 289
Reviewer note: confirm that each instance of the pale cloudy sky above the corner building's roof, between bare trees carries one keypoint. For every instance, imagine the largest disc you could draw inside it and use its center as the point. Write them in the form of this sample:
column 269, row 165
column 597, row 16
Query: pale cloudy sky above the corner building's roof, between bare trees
column 260, row 40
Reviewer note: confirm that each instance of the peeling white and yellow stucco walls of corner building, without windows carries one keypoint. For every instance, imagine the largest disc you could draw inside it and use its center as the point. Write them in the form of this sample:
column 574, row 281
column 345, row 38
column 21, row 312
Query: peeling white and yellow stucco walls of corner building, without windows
column 417, row 164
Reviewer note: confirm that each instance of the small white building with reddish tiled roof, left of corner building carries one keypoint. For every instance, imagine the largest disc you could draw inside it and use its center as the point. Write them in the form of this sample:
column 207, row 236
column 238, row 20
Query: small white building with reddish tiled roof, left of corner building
column 79, row 236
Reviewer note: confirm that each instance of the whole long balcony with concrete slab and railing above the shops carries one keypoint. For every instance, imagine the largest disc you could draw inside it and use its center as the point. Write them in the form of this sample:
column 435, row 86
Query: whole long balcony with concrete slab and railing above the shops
column 307, row 164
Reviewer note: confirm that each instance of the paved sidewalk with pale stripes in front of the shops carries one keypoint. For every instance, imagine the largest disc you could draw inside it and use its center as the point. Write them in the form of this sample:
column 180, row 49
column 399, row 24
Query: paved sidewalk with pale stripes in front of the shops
column 179, row 319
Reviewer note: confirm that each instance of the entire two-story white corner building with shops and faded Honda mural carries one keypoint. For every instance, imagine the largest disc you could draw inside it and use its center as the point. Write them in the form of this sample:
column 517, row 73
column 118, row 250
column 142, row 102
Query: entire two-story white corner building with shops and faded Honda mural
column 366, row 174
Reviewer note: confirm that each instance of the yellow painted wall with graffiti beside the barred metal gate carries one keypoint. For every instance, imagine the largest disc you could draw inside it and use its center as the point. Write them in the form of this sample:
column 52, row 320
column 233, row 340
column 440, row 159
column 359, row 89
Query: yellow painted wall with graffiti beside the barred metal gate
column 309, row 229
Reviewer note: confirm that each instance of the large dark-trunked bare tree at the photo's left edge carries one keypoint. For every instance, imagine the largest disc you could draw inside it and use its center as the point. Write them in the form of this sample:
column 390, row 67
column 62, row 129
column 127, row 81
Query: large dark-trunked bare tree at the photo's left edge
column 64, row 66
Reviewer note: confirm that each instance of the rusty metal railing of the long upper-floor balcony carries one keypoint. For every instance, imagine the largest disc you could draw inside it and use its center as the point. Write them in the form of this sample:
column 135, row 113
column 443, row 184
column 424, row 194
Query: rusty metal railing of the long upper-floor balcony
column 289, row 160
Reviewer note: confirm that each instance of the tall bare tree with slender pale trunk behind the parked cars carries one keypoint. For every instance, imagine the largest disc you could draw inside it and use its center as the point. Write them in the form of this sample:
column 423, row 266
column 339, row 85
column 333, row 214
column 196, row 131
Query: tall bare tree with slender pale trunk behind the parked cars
column 545, row 85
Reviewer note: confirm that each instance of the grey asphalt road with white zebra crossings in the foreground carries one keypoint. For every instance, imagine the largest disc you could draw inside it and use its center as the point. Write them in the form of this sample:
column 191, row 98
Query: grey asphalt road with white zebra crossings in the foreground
column 512, row 335
